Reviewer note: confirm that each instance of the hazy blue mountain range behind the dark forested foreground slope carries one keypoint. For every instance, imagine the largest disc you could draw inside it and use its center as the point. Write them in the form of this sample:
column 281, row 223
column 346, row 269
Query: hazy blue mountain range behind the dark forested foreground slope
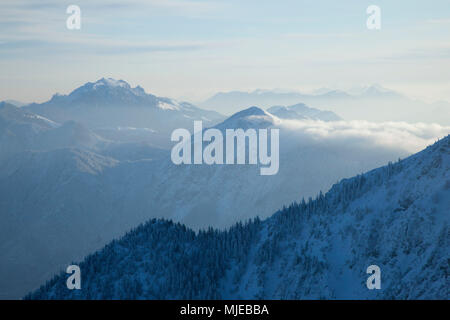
column 70, row 183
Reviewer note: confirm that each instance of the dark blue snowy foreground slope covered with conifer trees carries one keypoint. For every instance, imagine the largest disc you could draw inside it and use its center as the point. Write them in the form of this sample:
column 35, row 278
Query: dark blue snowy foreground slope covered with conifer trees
column 395, row 217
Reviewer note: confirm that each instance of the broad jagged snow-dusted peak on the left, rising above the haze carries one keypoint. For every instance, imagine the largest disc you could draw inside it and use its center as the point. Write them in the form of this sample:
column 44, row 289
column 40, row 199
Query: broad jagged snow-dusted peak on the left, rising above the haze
column 114, row 94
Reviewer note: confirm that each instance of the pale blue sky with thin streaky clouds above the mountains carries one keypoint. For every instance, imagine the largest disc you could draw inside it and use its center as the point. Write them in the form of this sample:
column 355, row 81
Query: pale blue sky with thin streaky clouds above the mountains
column 191, row 49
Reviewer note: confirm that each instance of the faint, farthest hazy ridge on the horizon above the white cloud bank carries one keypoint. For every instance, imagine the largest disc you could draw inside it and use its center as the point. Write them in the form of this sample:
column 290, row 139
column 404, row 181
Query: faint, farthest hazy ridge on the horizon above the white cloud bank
column 373, row 103
